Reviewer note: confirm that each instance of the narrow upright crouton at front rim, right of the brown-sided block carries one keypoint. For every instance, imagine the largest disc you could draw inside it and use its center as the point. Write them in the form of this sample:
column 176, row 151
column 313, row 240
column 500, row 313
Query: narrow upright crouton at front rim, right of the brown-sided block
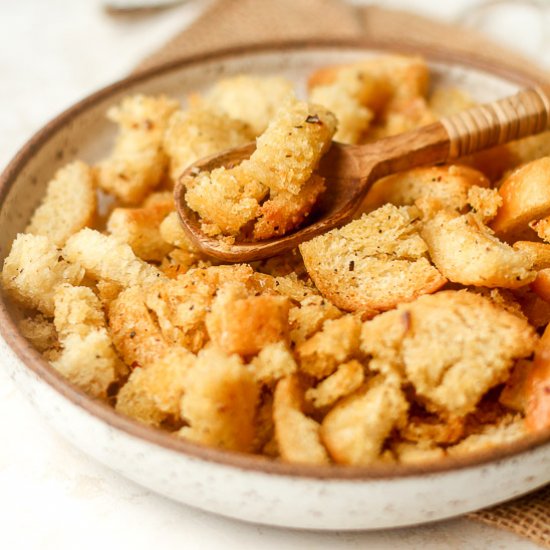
column 298, row 437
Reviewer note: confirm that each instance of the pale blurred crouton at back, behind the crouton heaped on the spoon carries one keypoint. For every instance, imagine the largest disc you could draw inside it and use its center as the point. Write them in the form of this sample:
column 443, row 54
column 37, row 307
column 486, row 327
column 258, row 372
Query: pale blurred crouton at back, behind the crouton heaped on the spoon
column 252, row 99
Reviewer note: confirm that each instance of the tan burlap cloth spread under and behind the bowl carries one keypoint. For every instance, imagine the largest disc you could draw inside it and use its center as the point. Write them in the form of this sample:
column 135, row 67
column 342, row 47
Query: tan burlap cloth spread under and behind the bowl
column 235, row 22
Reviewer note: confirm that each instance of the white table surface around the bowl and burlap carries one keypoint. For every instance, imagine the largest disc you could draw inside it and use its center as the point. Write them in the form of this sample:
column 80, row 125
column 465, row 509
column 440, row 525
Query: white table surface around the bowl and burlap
column 52, row 53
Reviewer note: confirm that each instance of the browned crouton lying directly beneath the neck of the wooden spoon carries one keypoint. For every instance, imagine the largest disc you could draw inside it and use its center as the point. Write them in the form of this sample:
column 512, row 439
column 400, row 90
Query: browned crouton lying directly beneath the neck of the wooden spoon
column 449, row 185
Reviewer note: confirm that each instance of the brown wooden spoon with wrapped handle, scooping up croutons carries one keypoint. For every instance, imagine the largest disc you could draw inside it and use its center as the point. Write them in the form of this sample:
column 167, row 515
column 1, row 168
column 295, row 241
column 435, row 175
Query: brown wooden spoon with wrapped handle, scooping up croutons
column 350, row 170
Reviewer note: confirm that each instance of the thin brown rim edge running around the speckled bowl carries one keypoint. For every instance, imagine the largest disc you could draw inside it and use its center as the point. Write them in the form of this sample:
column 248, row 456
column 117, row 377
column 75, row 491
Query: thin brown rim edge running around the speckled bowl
column 249, row 462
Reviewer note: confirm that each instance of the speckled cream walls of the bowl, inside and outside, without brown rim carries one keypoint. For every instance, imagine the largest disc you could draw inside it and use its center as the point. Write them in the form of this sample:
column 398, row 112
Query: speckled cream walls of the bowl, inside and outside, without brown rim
column 251, row 495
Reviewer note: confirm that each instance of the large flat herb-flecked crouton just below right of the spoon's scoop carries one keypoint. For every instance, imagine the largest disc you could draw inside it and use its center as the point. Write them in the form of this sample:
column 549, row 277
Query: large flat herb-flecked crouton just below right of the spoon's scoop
column 373, row 263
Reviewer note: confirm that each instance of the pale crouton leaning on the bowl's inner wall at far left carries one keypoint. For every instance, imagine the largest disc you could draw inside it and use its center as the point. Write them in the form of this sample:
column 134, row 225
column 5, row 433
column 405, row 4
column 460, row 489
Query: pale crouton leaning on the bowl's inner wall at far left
column 68, row 206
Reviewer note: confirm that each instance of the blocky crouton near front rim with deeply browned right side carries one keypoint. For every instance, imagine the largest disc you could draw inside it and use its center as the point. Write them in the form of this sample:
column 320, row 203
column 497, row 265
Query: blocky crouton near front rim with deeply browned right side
column 219, row 402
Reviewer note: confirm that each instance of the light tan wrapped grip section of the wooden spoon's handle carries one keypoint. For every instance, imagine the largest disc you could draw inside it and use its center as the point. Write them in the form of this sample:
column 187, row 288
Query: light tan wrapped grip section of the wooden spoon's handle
column 511, row 118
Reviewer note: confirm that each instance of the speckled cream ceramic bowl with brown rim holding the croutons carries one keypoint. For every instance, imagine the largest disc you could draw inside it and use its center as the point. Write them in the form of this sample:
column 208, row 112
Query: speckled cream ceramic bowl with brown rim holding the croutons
column 236, row 485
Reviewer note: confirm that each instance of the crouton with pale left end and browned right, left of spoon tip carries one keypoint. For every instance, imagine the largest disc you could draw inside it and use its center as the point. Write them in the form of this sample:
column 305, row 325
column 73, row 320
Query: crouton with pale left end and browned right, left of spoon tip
column 140, row 228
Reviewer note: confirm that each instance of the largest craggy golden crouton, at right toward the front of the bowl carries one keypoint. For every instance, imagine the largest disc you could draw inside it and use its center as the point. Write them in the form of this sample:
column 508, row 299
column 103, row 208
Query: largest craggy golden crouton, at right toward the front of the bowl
column 452, row 346
